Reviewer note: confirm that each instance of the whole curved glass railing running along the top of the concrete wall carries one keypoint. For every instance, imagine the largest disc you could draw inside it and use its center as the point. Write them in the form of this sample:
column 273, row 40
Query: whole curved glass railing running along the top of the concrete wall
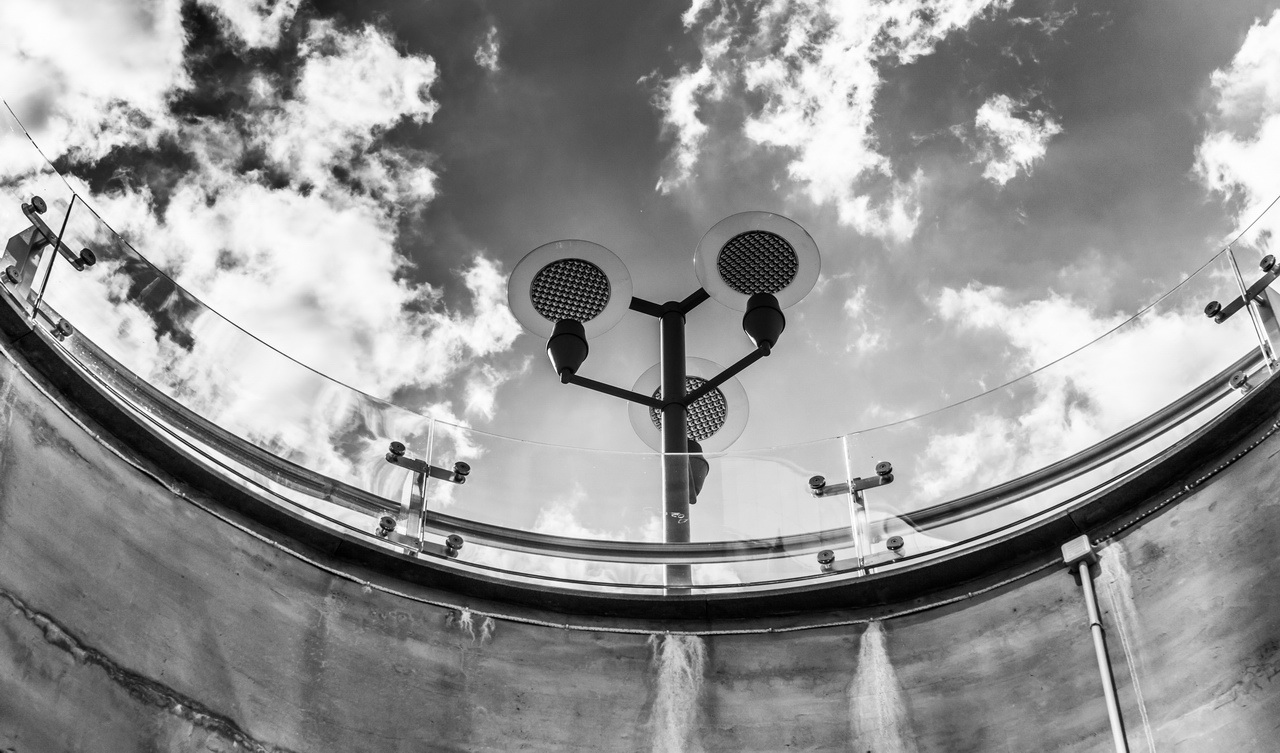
column 591, row 519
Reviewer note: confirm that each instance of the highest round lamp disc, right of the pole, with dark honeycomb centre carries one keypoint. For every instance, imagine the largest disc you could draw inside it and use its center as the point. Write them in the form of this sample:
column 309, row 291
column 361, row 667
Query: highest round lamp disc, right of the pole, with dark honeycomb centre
column 757, row 253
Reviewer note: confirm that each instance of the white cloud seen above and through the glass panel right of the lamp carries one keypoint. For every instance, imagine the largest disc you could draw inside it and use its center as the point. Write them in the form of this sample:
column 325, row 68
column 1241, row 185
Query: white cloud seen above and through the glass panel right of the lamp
column 1069, row 405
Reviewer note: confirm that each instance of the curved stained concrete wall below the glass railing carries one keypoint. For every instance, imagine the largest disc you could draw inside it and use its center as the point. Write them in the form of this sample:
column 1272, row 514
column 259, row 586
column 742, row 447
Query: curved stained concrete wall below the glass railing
column 134, row 620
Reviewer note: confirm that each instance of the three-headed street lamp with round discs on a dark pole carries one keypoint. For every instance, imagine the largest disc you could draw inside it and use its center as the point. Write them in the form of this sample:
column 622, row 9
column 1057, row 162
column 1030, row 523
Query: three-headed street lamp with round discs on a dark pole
column 570, row 291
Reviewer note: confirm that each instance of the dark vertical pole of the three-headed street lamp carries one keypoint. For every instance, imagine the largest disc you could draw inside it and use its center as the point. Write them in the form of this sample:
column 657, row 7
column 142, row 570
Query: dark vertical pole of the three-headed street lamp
column 675, row 444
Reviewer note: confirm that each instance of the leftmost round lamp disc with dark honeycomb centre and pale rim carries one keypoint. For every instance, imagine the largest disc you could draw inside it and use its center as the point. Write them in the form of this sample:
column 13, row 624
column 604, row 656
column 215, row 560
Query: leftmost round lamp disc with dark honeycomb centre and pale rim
column 570, row 280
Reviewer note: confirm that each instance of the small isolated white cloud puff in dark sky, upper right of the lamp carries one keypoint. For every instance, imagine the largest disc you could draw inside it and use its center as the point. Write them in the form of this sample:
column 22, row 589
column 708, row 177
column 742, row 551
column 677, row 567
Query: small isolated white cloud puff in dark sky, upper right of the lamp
column 1012, row 138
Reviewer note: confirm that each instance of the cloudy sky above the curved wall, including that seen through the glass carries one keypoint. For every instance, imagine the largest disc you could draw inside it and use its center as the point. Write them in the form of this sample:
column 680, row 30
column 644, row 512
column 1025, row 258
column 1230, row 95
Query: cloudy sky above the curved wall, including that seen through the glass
column 991, row 184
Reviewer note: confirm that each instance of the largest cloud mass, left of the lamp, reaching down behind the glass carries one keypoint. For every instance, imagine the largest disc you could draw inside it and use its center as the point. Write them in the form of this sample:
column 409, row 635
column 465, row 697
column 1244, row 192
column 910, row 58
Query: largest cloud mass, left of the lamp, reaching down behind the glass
column 282, row 213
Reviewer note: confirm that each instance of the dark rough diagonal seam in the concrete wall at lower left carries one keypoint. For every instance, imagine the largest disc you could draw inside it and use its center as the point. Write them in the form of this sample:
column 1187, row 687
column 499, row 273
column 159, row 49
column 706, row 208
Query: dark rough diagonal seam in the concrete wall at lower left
column 141, row 688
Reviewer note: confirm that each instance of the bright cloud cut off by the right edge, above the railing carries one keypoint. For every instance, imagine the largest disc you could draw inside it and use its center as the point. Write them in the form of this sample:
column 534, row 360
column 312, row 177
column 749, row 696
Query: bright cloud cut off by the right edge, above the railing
column 1238, row 156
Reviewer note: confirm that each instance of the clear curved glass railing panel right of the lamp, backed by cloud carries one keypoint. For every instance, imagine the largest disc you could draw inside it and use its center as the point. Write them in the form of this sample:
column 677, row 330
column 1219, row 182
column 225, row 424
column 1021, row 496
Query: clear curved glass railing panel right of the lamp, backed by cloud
column 945, row 459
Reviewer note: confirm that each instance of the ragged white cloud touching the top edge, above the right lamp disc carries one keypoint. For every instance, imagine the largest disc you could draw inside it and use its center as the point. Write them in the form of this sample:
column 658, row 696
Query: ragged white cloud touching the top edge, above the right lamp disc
column 807, row 76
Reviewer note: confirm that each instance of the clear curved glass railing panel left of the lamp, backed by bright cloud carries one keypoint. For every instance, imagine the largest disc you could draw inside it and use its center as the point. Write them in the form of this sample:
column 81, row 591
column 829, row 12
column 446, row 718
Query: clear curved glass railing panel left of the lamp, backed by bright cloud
column 143, row 323
